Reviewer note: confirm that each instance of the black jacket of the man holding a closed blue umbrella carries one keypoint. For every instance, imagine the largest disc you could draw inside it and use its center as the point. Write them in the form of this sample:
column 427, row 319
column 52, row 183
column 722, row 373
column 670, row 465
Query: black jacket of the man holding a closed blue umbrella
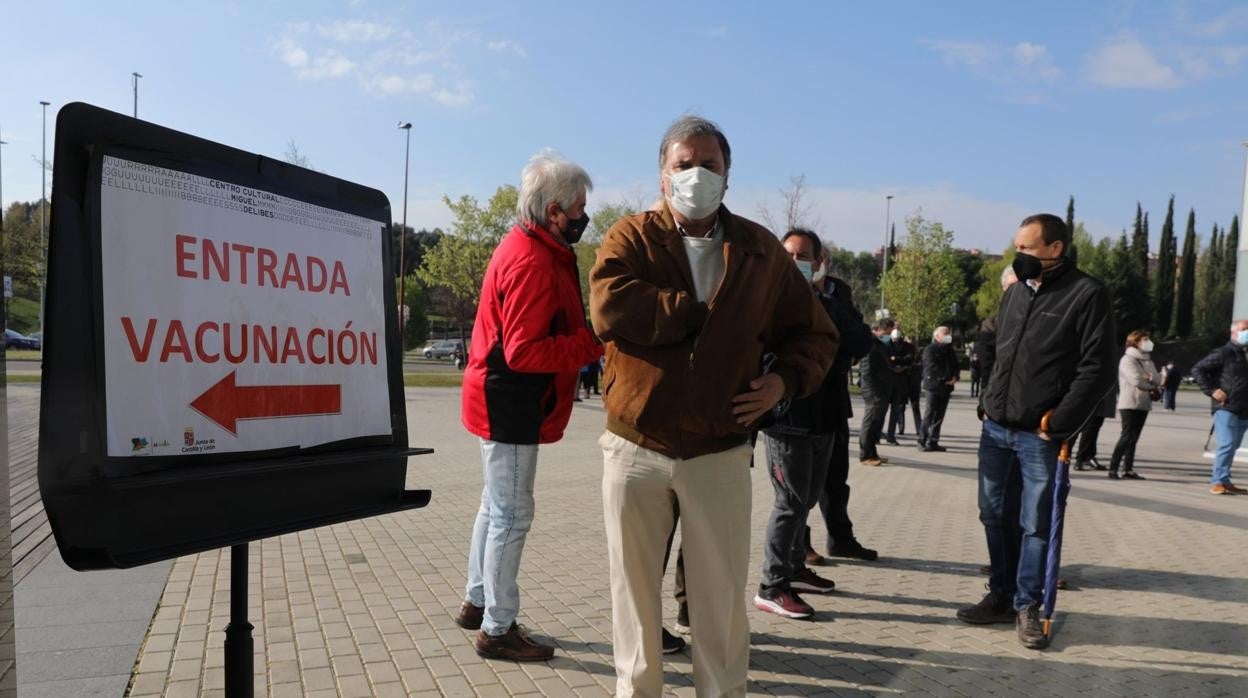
column 1055, row 350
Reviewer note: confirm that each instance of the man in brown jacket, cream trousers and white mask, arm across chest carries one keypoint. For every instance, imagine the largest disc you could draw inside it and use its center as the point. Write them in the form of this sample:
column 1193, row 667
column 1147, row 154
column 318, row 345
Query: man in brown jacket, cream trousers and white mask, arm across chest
column 690, row 300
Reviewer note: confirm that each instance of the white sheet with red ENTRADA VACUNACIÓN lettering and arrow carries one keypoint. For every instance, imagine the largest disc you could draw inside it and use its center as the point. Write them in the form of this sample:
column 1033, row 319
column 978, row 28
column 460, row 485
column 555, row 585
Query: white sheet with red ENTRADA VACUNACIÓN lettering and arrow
column 236, row 319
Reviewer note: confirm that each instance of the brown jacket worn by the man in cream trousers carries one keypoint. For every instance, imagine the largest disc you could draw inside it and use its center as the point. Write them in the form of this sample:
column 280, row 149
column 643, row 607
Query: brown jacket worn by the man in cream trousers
column 675, row 365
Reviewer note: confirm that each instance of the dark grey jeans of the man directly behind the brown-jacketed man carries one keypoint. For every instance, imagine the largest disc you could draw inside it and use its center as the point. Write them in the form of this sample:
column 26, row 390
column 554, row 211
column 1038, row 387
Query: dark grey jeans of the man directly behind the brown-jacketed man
column 798, row 466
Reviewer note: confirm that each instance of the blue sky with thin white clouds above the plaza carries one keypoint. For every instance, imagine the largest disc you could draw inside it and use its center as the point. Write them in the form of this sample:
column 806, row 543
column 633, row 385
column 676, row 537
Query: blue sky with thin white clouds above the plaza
column 975, row 113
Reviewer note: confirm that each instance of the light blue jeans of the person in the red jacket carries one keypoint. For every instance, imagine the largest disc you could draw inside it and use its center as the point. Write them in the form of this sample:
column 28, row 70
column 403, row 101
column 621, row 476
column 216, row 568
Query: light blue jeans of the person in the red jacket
column 499, row 536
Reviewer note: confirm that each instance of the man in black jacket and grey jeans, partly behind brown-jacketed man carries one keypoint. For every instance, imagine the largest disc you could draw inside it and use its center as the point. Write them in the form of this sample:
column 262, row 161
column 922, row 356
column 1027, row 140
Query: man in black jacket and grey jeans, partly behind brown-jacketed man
column 801, row 445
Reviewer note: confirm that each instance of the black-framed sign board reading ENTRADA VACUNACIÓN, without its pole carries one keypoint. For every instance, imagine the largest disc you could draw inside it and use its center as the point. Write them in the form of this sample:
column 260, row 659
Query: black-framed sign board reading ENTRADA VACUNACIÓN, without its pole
column 219, row 361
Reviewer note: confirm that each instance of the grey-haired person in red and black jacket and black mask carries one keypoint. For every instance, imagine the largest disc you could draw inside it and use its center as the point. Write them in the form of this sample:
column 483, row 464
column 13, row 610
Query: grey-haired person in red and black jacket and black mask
column 529, row 345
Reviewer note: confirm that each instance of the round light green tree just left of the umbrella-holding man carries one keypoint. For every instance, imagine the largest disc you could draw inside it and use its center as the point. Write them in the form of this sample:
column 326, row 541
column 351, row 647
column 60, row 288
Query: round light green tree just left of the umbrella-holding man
column 927, row 282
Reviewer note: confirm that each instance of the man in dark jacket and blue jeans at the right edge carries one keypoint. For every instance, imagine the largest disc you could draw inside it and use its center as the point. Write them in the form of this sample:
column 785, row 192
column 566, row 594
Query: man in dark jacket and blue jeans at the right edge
column 1224, row 376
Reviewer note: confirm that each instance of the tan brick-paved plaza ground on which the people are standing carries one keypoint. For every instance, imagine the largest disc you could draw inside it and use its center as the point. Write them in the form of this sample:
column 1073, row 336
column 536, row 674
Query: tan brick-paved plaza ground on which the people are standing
column 1158, row 606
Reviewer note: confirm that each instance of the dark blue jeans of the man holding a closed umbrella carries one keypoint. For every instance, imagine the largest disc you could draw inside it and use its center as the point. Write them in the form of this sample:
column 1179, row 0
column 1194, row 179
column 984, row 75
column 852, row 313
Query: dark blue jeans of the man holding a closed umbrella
column 1016, row 475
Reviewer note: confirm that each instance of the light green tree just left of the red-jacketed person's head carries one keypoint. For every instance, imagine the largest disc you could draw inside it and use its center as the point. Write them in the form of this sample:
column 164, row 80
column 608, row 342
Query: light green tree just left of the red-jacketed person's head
column 455, row 267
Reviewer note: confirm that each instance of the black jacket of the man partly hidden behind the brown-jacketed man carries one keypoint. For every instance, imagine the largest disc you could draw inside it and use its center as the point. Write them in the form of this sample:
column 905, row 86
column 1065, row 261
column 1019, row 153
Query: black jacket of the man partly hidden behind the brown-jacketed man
column 821, row 413
